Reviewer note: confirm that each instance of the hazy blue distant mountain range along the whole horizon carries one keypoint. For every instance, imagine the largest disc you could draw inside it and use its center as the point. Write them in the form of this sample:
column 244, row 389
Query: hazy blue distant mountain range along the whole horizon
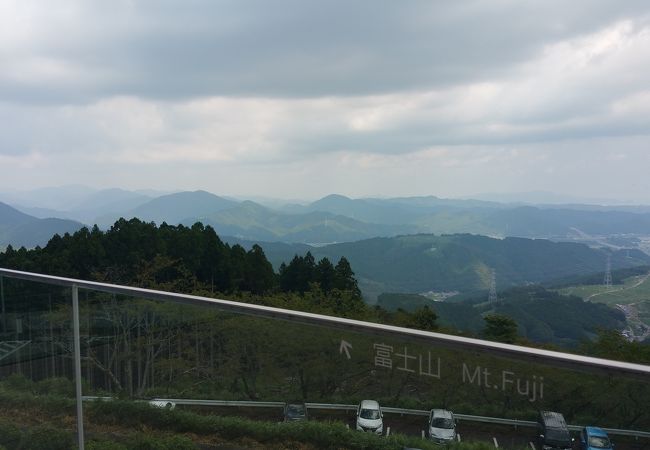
column 336, row 218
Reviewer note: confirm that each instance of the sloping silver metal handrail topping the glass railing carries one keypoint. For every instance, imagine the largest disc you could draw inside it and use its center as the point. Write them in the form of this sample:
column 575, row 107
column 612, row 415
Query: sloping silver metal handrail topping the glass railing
column 553, row 358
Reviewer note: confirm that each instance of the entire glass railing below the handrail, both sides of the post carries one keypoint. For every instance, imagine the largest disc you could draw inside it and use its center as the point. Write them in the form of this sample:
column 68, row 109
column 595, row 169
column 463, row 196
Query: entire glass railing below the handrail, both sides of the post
column 160, row 352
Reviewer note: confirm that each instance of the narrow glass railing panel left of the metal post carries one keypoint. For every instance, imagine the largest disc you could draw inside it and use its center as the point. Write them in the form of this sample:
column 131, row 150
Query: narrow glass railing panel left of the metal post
column 37, row 386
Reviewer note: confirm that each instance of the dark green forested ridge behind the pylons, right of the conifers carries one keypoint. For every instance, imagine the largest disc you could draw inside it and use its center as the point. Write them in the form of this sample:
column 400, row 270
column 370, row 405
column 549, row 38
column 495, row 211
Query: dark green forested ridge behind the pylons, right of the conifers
column 421, row 263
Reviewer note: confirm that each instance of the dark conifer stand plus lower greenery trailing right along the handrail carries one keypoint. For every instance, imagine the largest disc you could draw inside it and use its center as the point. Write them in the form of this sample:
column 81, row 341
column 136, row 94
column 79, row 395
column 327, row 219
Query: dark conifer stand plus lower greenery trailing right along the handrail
column 194, row 260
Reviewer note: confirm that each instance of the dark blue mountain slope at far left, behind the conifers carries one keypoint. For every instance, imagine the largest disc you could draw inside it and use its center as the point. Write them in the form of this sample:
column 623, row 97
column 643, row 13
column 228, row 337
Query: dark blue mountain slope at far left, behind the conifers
column 19, row 229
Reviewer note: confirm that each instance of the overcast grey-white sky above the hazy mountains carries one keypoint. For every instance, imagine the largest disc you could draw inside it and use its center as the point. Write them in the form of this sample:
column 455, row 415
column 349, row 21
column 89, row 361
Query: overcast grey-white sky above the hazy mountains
column 299, row 99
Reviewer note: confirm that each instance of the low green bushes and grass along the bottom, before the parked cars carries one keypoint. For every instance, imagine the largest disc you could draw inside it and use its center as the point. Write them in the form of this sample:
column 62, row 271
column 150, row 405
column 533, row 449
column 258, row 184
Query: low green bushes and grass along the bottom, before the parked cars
column 177, row 429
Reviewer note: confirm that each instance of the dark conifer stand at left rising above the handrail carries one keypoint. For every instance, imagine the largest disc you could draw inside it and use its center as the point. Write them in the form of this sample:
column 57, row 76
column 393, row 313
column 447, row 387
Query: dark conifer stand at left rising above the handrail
column 176, row 258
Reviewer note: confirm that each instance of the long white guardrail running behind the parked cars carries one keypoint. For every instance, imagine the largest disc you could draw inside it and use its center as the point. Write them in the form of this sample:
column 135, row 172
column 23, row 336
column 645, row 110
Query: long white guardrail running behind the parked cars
column 415, row 412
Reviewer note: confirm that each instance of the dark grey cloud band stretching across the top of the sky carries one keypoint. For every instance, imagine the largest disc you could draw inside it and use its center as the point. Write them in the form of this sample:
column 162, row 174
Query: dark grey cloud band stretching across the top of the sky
column 176, row 50
